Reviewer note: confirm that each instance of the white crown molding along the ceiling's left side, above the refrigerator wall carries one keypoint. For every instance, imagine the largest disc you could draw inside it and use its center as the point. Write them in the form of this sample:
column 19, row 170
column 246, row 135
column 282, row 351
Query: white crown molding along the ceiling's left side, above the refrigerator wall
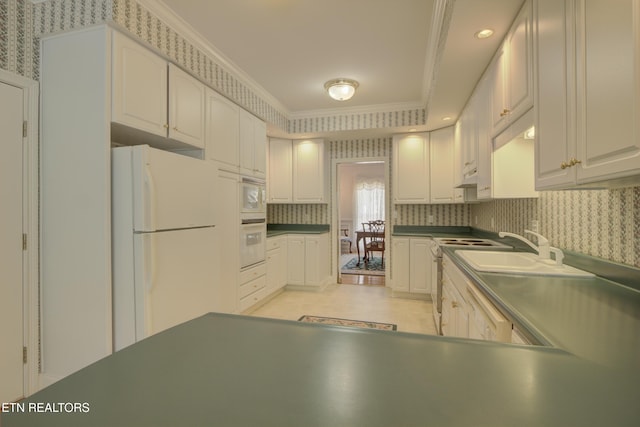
column 182, row 27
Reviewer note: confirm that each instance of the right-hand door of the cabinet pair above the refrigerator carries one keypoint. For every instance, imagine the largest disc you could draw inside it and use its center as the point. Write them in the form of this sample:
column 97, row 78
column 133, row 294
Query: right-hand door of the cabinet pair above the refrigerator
column 186, row 108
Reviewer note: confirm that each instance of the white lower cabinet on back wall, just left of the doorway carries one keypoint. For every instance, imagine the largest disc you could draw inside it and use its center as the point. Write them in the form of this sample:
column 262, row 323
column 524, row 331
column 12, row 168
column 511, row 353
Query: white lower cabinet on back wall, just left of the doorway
column 307, row 259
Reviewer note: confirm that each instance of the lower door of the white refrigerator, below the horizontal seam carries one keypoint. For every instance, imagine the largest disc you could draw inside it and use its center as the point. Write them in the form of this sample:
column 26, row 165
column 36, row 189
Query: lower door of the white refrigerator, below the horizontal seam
column 174, row 278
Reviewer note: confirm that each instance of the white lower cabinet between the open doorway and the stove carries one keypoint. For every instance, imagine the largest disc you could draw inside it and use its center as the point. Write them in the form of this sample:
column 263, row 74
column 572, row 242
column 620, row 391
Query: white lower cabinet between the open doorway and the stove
column 411, row 264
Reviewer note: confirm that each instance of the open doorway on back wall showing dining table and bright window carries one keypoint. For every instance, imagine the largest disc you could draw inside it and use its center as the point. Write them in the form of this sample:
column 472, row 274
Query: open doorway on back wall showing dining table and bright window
column 361, row 198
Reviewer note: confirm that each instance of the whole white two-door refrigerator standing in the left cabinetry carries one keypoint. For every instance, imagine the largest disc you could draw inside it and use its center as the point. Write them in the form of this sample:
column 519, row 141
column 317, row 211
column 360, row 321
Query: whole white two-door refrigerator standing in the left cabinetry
column 164, row 269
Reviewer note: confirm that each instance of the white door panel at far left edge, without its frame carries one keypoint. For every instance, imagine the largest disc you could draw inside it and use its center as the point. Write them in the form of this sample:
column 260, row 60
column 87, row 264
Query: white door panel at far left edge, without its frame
column 11, row 278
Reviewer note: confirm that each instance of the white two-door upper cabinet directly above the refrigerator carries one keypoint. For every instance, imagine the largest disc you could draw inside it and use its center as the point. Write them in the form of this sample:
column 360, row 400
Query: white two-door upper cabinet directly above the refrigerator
column 153, row 96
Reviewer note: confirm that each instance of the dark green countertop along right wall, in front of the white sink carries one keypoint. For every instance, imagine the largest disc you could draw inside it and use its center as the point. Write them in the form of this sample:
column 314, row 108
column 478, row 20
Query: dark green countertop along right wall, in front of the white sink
column 593, row 318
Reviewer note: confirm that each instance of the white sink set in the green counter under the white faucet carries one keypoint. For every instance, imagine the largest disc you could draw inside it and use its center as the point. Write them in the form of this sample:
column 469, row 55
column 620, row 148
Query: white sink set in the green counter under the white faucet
column 517, row 263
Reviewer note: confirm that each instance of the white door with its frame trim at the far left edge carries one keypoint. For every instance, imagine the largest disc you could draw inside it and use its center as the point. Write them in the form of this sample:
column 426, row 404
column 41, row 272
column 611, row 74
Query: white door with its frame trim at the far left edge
column 18, row 241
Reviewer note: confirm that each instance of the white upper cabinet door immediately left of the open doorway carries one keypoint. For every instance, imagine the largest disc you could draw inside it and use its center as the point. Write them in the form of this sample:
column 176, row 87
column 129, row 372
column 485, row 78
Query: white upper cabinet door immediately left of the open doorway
column 309, row 185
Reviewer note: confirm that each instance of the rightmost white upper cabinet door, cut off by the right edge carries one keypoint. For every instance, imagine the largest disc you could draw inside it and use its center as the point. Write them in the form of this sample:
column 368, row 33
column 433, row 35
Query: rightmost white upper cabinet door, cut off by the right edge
column 608, row 96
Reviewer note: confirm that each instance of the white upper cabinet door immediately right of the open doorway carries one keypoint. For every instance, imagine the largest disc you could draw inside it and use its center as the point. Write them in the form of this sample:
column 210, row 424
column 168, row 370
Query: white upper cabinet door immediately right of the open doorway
column 411, row 168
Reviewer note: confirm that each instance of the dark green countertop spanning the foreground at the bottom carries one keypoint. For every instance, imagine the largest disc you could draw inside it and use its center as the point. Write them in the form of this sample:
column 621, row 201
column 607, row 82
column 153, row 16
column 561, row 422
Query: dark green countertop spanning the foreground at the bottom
column 230, row 370
